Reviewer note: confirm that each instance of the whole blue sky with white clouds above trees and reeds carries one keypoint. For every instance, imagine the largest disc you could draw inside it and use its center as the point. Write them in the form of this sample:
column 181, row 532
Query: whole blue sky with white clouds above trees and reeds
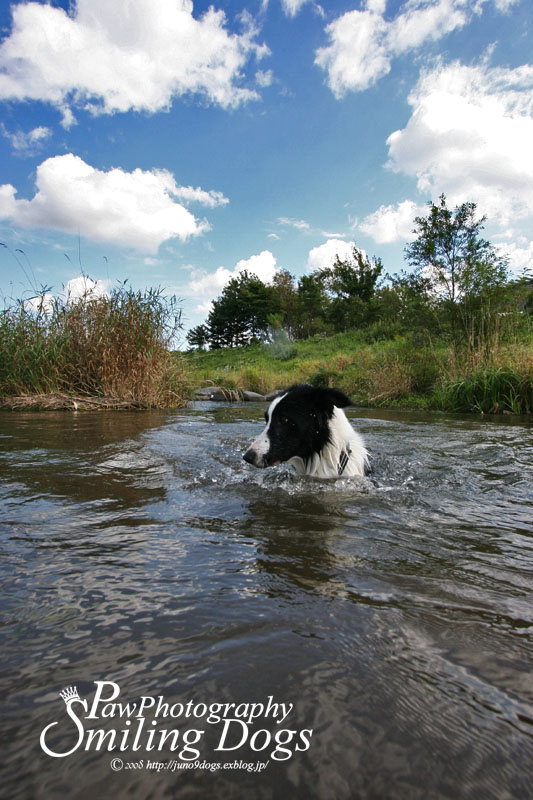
column 174, row 144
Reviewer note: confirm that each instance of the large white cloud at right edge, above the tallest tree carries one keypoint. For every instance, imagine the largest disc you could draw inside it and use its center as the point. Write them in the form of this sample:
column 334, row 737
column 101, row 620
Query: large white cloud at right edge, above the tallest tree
column 470, row 136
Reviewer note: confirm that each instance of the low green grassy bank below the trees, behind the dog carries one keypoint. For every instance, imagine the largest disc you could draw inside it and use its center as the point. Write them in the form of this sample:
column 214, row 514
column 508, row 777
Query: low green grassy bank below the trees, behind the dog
column 403, row 372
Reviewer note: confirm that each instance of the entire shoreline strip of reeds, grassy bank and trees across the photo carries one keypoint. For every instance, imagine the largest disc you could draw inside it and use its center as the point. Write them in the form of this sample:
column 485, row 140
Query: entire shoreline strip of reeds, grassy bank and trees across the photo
column 455, row 333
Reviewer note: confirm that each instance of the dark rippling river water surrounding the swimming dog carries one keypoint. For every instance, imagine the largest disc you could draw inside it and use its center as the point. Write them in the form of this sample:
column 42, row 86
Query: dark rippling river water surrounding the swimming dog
column 392, row 616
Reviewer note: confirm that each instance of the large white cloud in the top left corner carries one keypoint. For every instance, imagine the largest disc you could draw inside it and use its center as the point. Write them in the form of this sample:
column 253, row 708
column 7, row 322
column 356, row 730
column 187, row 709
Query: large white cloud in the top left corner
column 123, row 55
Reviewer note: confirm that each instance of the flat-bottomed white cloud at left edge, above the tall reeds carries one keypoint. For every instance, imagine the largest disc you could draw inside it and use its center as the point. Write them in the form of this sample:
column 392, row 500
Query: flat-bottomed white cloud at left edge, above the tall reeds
column 133, row 209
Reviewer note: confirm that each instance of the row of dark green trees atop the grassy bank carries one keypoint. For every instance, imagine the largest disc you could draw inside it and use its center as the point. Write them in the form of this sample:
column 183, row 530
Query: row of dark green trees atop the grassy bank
column 458, row 287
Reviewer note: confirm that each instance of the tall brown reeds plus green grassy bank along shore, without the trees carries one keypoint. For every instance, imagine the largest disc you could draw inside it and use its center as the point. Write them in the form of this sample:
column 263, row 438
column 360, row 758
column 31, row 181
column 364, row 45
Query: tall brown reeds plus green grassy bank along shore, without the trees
column 117, row 350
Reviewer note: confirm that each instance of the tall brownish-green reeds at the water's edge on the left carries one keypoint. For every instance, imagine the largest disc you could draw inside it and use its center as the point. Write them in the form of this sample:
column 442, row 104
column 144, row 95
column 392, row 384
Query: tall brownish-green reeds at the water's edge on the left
column 115, row 347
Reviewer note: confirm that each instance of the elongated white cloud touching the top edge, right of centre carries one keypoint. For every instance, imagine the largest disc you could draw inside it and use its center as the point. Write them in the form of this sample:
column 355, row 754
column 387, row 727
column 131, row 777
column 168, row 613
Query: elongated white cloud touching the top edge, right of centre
column 363, row 43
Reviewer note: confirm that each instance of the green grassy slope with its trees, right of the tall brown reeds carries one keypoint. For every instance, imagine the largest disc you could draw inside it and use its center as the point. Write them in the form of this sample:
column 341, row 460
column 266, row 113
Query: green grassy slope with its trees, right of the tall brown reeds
column 454, row 333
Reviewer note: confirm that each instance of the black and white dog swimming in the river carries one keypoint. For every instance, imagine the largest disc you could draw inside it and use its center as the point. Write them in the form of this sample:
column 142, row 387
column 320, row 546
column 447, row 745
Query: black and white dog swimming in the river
column 307, row 428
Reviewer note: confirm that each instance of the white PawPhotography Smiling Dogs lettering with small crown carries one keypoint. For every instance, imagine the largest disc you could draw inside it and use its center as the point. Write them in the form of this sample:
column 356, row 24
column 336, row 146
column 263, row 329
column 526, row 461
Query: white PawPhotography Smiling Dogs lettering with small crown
column 151, row 724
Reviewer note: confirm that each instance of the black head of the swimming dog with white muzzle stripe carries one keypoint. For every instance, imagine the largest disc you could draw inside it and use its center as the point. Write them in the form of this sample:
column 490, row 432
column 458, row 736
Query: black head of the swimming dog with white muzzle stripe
column 297, row 425
